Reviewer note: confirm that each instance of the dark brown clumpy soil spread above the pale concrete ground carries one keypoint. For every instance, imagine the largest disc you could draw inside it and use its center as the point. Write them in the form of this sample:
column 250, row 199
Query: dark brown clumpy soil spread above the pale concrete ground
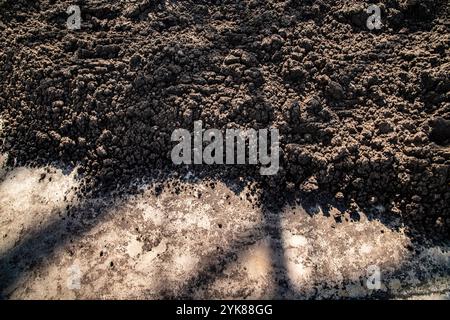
column 363, row 115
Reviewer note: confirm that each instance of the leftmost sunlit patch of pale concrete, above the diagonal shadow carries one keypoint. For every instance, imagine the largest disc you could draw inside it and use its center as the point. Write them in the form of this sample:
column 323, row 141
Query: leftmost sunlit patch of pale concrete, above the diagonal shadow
column 29, row 198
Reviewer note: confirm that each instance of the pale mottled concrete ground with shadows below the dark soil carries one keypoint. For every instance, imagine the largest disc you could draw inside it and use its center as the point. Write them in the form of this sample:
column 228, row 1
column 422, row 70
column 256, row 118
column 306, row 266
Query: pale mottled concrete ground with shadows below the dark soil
column 202, row 243
